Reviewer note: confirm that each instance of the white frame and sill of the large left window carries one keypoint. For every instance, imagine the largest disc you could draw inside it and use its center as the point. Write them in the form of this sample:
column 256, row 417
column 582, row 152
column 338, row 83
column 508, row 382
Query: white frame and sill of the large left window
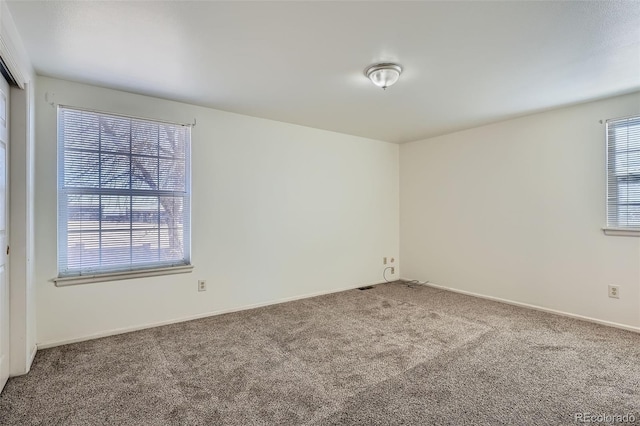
column 99, row 274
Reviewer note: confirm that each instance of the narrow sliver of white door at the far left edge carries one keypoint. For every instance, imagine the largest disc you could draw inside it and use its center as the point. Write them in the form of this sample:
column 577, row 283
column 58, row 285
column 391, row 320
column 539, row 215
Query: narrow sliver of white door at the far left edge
column 4, row 237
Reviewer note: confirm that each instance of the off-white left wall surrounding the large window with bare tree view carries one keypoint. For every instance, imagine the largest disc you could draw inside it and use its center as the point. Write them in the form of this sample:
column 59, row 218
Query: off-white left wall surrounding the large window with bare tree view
column 278, row 211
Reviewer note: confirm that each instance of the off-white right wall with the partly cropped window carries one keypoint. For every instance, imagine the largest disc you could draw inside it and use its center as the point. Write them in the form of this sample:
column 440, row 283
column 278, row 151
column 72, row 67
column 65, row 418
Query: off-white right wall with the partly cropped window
column 514, row 210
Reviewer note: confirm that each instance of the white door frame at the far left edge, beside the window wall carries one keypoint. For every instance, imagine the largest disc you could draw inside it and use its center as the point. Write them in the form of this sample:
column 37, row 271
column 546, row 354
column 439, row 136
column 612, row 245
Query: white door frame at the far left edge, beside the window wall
column 22, row 308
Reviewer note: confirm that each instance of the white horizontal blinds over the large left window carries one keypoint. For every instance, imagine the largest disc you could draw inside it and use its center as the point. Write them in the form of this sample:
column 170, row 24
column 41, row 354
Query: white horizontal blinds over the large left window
column 123, row 193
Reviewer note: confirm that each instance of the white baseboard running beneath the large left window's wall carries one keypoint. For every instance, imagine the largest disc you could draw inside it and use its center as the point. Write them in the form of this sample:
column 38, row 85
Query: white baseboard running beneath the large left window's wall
column 113, row 332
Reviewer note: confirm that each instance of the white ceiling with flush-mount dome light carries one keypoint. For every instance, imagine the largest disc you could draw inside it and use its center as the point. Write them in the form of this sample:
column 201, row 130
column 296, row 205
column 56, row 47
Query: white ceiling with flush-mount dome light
column 466, row 63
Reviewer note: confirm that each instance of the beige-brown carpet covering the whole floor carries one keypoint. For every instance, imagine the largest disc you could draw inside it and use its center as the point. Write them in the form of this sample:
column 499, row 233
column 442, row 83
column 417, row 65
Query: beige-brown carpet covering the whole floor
column 391, row 355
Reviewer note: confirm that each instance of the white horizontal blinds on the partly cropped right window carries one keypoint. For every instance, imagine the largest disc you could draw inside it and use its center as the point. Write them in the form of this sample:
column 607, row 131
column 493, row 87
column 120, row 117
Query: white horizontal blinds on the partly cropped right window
column 623, row 173
